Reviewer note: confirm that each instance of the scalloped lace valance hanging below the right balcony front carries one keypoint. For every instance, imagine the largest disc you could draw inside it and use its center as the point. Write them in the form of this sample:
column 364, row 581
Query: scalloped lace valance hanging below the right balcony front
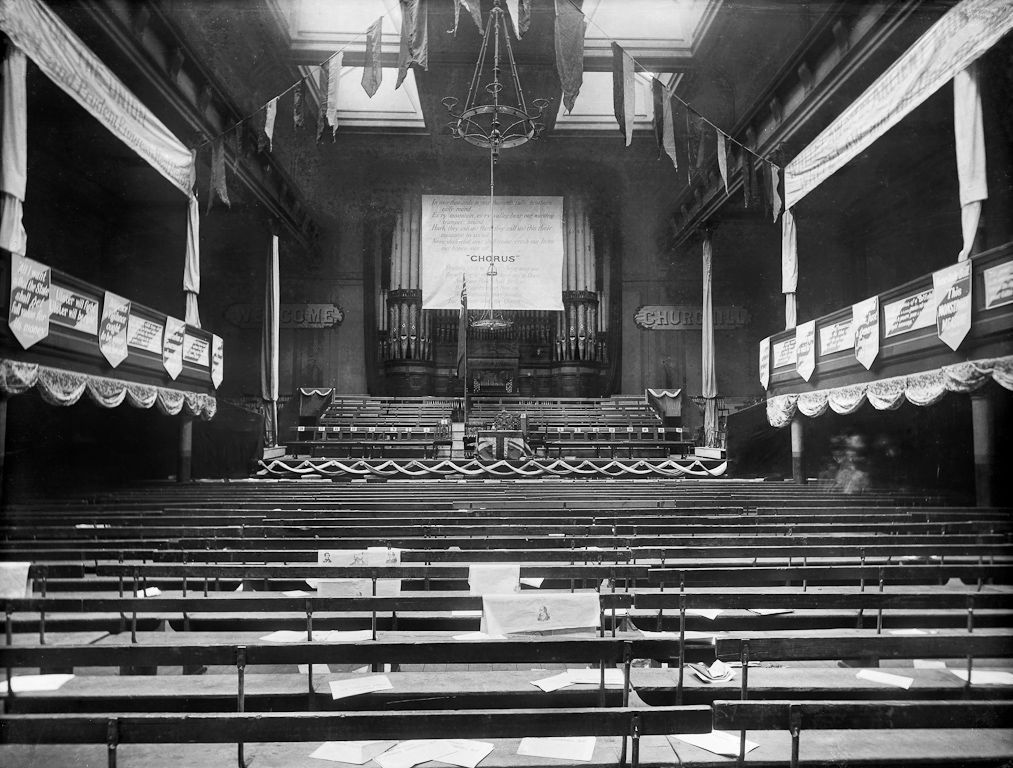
column 925, row 389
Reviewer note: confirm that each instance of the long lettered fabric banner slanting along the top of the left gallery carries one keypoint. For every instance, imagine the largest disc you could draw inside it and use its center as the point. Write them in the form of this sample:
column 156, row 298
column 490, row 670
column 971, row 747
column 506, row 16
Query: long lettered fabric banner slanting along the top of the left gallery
column 59, row 53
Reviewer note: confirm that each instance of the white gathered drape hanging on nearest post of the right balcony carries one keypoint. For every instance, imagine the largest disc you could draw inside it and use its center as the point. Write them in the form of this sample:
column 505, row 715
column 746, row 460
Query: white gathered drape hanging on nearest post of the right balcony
column 969, row 132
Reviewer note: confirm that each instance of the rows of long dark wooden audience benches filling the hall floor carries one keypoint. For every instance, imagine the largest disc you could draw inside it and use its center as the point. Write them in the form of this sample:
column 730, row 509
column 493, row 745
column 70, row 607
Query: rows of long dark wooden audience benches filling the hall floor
column 833, row 616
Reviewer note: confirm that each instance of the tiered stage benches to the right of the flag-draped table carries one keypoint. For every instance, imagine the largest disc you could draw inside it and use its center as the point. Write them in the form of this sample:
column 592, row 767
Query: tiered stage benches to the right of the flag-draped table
column 599, row 428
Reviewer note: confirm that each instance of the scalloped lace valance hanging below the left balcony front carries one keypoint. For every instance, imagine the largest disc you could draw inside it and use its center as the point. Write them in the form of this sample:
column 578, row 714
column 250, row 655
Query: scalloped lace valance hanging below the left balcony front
column 59, row 388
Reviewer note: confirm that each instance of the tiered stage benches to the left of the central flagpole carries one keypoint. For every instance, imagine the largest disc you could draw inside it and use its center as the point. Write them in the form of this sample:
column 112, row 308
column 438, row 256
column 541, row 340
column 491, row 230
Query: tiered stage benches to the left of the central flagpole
column 364, row 427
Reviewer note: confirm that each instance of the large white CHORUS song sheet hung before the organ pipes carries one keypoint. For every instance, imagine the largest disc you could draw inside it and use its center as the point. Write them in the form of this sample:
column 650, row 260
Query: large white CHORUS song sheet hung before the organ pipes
column 528, row 249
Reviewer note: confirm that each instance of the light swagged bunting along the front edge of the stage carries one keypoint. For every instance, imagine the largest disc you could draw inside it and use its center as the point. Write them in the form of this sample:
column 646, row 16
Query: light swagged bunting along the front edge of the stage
column 289, row 468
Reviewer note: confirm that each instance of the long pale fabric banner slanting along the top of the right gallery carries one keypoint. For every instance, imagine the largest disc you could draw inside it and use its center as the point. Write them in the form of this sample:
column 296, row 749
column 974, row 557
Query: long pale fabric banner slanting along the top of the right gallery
column 967, row 32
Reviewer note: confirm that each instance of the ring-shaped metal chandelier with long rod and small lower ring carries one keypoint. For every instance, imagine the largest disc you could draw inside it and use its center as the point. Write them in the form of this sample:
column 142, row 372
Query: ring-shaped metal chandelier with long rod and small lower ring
column 495, row 120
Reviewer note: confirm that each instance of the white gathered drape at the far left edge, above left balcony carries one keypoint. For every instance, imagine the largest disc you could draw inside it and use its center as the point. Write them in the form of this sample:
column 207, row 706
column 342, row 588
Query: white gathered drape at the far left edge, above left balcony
column 15, row 153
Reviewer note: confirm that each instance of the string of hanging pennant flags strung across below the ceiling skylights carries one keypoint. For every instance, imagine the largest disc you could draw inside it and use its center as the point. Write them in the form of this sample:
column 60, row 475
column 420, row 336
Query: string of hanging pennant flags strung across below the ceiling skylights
column 256, row 132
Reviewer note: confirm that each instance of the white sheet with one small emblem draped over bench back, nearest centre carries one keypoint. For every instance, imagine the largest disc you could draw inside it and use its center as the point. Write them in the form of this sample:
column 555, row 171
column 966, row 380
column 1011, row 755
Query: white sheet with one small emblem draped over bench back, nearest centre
column 535, row 612
